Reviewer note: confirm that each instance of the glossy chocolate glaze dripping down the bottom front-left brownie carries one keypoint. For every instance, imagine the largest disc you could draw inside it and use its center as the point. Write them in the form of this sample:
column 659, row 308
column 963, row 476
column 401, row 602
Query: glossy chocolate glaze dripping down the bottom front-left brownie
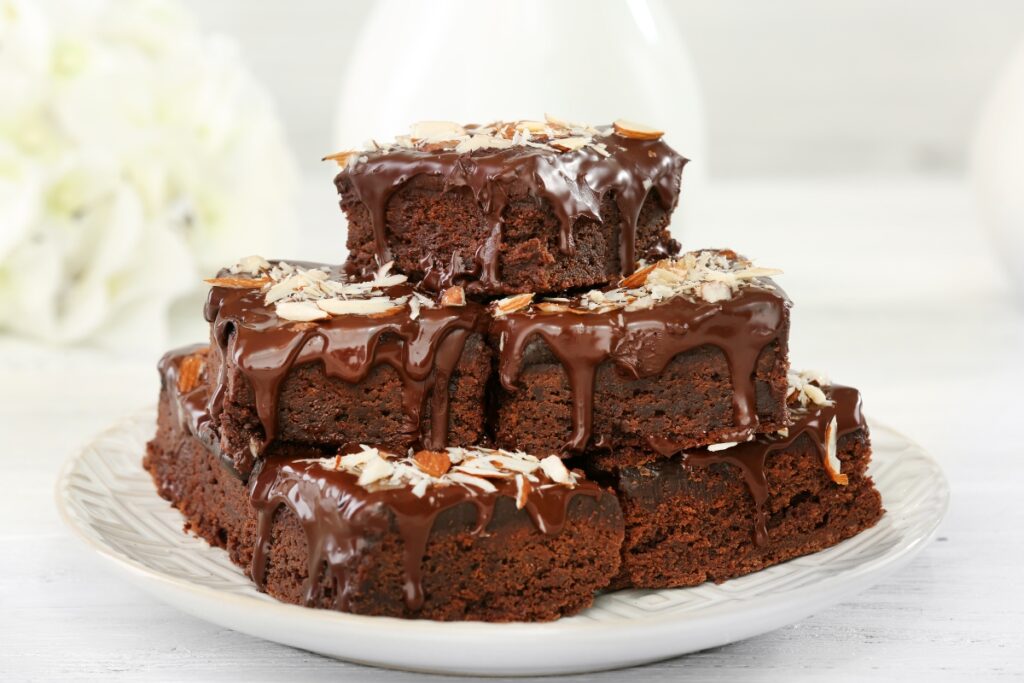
column 342, row 520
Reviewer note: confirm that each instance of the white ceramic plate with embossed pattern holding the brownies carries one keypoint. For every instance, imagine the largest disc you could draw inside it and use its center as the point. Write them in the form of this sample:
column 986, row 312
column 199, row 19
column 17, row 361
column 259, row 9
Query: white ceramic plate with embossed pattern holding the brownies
column 110, row 502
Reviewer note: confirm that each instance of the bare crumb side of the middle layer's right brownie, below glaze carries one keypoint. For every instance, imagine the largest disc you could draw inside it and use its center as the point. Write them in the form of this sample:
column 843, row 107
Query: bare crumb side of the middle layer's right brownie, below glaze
column 690, row 404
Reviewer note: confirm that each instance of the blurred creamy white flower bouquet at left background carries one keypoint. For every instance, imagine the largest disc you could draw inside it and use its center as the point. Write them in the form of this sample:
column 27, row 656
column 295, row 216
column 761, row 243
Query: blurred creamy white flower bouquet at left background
column 137, row 156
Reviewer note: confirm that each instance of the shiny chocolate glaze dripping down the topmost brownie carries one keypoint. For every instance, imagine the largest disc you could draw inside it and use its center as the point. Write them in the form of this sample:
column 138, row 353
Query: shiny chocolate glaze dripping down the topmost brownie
column 573, row 183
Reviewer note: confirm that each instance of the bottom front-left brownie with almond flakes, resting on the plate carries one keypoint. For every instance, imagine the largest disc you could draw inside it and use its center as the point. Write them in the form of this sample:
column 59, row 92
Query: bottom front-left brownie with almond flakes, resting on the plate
column 460, row 534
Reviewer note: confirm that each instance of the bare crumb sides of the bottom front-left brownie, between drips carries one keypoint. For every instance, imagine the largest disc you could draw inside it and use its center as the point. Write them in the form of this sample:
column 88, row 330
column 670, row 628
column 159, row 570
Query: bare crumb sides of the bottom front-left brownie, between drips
column 510, row 573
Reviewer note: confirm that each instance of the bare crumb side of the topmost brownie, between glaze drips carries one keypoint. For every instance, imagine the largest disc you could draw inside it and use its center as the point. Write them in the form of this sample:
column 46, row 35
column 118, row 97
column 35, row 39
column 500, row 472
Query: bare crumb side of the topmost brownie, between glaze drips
column 431, row 226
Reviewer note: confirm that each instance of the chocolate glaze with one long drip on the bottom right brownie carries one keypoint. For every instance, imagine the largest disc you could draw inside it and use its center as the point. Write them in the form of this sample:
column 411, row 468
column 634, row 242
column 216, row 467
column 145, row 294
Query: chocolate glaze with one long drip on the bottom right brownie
column 751, row 456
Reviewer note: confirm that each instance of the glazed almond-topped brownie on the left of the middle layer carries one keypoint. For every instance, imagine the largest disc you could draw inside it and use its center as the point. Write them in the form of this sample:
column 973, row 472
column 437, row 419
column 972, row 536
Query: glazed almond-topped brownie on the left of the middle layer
column 303, row 353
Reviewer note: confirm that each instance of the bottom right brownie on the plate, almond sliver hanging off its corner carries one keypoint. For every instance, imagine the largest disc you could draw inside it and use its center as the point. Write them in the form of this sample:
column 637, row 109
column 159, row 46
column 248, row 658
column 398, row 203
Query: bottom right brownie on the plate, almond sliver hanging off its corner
column 712, row 515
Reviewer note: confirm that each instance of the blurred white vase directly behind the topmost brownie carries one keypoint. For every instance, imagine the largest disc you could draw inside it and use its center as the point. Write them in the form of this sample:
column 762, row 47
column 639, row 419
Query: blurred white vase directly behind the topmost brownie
column 478, row 61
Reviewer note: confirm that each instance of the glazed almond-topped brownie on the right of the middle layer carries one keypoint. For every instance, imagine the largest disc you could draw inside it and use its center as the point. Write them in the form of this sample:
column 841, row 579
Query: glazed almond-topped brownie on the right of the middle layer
column 682, row 354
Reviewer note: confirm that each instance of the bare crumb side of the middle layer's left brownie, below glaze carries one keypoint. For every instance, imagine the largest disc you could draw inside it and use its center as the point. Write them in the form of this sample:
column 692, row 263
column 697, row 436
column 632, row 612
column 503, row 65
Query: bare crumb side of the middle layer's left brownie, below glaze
column 317, row 409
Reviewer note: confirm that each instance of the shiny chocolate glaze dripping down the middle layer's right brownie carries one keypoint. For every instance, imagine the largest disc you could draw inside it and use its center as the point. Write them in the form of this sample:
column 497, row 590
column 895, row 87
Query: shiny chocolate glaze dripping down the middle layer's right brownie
column 643, row 344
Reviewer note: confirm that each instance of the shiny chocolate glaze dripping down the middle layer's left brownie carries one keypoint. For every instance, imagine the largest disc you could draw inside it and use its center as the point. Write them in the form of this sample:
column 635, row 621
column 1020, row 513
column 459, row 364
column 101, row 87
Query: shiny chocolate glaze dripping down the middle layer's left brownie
column 424, row 353
